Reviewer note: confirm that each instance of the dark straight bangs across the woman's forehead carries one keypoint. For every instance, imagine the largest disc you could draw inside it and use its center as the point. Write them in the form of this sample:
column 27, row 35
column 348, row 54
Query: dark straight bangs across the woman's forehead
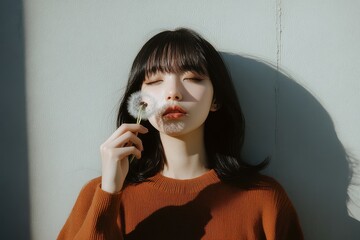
column 176, row 55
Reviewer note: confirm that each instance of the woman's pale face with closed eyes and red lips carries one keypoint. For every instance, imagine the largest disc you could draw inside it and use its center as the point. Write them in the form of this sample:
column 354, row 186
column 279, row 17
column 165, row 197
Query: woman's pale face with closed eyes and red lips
column 183, row 101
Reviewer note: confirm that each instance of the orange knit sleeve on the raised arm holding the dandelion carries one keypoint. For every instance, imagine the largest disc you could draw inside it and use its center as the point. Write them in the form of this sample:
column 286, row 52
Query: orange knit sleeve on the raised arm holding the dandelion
column 94, row 216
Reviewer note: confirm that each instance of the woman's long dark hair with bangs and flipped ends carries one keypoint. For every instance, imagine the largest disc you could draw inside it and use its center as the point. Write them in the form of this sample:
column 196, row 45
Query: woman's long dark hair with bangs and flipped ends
column 183, row 50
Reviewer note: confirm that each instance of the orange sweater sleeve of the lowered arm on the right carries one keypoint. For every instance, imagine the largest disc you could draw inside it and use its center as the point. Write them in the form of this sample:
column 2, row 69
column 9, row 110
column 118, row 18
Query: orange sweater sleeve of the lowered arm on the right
column 280, row 219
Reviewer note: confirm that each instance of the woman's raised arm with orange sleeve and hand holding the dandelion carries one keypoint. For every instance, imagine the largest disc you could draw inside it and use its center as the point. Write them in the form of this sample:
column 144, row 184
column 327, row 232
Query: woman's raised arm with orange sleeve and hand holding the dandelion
column 96, row 211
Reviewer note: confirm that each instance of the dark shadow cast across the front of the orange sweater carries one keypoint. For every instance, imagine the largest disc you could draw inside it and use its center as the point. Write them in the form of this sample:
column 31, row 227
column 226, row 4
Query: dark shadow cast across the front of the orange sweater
column 186, row 221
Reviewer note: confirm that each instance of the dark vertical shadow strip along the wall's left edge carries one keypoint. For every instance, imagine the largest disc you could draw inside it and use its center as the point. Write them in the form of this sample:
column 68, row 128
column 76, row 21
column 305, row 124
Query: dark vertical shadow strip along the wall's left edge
column 14, row 201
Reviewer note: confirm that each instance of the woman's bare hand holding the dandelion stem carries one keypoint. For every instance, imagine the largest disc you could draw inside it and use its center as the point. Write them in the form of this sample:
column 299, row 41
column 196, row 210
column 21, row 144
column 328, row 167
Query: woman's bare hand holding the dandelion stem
column 114, row 155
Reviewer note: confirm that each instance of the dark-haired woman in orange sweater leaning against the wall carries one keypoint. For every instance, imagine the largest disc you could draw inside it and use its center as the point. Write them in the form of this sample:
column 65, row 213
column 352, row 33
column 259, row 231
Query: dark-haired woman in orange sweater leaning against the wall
column 188, row 180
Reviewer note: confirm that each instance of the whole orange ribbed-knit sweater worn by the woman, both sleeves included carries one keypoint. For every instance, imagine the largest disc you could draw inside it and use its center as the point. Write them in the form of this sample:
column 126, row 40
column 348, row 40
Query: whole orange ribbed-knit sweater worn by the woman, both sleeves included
column 200, row 208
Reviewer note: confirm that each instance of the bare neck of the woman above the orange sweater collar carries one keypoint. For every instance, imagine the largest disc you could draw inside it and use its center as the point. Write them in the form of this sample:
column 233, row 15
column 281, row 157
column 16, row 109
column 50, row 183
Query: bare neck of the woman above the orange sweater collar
column 185, row 155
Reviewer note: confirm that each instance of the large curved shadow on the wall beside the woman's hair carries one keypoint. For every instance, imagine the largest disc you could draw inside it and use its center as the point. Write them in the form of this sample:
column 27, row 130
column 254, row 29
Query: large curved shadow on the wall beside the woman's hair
column 285, row 121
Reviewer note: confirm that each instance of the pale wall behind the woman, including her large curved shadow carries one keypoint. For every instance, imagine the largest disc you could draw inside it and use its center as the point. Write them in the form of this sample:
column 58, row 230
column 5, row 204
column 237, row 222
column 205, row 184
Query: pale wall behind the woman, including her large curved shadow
column 78, row 56
